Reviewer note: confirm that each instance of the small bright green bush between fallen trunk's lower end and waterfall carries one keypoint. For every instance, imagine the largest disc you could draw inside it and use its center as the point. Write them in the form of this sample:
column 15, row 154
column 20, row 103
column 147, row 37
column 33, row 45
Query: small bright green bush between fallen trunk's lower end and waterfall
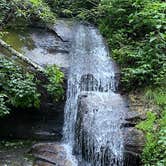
column 55, row 82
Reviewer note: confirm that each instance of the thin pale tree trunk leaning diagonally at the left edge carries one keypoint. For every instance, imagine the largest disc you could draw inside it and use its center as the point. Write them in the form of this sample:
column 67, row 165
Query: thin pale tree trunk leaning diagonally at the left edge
column 21, row 56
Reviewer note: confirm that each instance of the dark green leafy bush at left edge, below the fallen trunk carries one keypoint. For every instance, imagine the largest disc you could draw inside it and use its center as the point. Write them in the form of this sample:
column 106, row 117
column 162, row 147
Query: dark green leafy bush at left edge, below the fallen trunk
column 17, row 88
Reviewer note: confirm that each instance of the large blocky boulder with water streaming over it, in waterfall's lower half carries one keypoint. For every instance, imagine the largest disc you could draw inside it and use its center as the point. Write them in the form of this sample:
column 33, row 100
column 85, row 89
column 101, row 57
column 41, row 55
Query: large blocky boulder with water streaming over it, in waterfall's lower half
column 98, row 128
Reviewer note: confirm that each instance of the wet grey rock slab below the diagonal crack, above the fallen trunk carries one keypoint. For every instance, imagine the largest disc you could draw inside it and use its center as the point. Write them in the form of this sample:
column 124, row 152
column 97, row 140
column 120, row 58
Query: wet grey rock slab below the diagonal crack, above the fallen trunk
column 48, row 49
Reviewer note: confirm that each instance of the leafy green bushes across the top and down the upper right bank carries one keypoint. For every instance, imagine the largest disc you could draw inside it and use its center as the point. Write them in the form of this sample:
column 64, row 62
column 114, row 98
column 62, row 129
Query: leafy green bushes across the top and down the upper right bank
column 134, row 31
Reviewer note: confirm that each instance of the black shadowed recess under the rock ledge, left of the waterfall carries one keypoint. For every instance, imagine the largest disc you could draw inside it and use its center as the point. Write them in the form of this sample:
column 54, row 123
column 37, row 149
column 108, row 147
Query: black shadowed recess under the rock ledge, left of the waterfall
column 34, row 124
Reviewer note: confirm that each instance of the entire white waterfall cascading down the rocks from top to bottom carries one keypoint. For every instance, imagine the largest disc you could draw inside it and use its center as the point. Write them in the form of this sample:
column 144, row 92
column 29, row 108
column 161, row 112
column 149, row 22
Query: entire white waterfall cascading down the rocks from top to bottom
column 93, row 111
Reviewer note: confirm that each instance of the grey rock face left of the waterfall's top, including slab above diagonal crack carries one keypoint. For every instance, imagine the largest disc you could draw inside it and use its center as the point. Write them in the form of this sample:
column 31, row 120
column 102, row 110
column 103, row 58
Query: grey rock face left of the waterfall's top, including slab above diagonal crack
column 51, row 46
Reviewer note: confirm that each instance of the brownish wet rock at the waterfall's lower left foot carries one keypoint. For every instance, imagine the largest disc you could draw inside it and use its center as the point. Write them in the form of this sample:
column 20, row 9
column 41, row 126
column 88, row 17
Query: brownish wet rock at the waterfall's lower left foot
column 48, row 154
